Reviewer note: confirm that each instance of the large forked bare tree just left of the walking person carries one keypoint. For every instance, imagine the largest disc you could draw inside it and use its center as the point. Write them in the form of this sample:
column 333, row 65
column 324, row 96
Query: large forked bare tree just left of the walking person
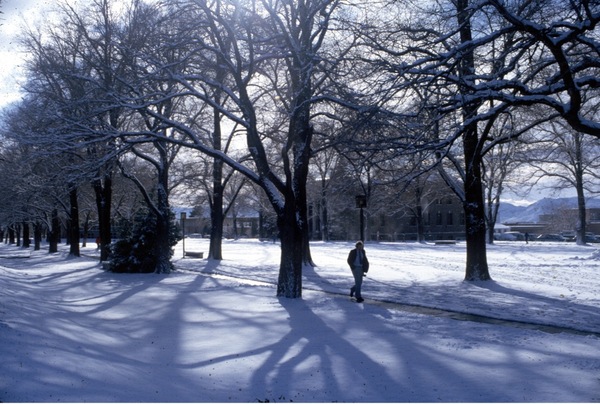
column 263, row 45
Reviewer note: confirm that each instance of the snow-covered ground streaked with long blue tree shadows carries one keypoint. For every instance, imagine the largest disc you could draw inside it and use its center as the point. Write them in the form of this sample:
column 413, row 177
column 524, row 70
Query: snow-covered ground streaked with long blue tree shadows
column 216, row 332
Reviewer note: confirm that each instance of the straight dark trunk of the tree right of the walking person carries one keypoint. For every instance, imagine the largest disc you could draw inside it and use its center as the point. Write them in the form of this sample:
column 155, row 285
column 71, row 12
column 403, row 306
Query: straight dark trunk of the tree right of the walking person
column 477, row 267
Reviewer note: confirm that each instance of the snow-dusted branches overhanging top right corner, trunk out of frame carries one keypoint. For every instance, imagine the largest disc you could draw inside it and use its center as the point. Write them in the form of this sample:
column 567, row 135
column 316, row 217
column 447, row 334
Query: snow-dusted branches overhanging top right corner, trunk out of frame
column 561, row 37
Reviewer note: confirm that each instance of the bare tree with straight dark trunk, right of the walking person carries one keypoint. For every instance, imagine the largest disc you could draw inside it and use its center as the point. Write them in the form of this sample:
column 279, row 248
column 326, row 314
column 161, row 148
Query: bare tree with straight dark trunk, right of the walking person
column 435, row 57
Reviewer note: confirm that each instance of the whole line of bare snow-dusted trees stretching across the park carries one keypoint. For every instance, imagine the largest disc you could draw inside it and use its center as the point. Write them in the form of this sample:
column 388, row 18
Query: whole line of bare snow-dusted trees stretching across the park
column 273, row 94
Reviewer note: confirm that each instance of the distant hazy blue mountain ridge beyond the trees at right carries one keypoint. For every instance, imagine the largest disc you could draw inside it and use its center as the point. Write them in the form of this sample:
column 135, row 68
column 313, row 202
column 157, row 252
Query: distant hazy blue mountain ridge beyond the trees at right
column 509, row 213
